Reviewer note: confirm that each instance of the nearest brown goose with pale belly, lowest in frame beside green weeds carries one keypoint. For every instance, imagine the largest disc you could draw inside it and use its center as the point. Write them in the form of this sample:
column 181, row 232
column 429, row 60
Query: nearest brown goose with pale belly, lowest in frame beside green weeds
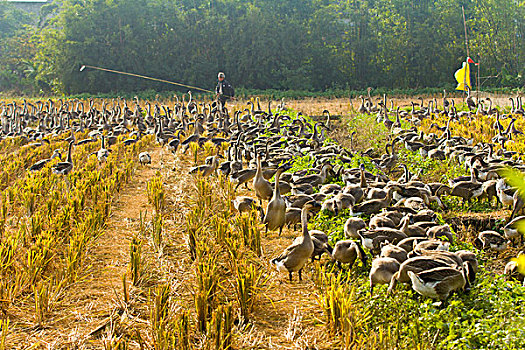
column 439, row 282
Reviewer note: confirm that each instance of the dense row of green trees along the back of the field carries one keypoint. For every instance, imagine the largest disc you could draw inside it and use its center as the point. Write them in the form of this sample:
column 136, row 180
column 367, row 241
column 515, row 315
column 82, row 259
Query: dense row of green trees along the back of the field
column 310, row 45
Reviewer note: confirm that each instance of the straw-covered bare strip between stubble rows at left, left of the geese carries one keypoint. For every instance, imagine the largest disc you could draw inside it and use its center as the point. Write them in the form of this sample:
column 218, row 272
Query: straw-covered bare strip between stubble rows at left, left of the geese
column 87, row 304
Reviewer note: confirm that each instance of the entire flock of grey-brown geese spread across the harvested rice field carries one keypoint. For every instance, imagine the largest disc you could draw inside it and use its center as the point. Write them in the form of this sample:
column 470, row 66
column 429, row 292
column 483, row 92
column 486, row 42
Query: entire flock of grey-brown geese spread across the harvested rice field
column 391, row 218
